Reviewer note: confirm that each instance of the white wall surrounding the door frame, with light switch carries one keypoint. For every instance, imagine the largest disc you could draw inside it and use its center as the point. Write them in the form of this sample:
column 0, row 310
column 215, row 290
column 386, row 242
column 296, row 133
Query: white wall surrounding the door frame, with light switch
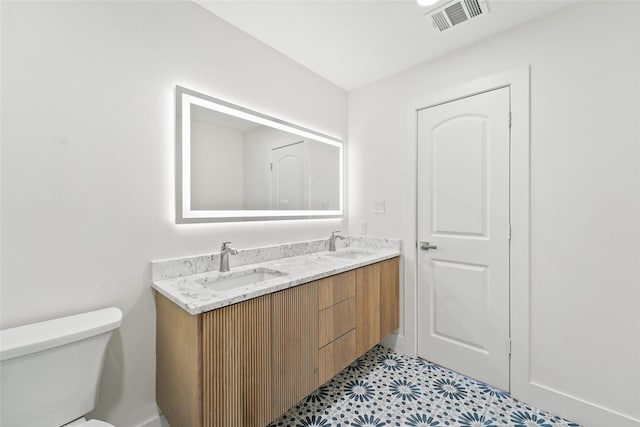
column 585, row 203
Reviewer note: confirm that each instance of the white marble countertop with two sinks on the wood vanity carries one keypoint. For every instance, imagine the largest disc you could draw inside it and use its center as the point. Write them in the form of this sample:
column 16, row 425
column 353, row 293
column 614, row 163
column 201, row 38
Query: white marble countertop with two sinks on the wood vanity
column 196, row 293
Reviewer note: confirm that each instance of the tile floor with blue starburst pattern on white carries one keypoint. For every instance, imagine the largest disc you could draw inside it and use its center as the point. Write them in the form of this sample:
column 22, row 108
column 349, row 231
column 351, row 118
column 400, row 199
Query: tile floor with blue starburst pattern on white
column 384, row 388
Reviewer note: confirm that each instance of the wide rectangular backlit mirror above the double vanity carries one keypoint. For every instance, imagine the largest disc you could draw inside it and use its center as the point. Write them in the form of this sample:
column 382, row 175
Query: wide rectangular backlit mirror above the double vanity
column 235, row 164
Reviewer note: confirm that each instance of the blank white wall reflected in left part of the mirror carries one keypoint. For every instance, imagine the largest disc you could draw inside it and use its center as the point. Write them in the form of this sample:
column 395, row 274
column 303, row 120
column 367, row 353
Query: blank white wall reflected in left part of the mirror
column 217, row 167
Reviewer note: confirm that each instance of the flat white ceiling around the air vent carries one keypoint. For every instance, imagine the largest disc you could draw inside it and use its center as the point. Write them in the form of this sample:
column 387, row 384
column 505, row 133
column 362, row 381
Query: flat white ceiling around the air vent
column 352, row 43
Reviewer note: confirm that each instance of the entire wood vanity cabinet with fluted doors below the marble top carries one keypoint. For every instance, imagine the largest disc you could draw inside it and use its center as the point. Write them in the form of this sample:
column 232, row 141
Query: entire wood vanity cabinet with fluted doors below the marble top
column 248, row 363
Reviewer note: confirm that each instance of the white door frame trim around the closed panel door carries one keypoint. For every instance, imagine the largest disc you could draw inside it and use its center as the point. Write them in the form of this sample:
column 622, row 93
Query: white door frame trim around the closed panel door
column 518, row 80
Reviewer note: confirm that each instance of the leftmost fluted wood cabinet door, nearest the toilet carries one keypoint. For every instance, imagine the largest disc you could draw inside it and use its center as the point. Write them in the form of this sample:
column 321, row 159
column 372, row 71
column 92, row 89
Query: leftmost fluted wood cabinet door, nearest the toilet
column 237, row 364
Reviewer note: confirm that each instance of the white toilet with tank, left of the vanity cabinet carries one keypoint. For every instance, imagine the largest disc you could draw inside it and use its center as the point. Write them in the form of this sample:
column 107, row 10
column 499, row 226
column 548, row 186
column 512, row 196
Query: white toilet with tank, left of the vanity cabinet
column 50, row 371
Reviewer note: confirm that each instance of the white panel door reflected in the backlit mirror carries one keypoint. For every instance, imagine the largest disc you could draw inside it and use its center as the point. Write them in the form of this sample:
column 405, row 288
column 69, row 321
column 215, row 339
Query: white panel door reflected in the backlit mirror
column 289, row 177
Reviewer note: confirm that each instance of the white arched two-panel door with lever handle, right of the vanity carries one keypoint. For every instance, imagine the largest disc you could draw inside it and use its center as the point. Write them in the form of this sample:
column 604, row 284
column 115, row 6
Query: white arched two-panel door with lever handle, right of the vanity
column 463, row 212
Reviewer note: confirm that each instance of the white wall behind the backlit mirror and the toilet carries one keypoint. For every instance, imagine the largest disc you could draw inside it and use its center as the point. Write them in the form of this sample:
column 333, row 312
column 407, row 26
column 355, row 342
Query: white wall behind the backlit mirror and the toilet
column 87, row 162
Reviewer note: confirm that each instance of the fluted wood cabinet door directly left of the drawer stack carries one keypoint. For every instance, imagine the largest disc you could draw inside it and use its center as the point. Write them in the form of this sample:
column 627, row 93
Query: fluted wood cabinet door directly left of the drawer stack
column 295, row 345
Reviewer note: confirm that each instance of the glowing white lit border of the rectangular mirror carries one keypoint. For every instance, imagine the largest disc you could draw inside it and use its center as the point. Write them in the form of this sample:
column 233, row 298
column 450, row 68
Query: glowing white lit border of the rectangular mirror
column 184, row 98
